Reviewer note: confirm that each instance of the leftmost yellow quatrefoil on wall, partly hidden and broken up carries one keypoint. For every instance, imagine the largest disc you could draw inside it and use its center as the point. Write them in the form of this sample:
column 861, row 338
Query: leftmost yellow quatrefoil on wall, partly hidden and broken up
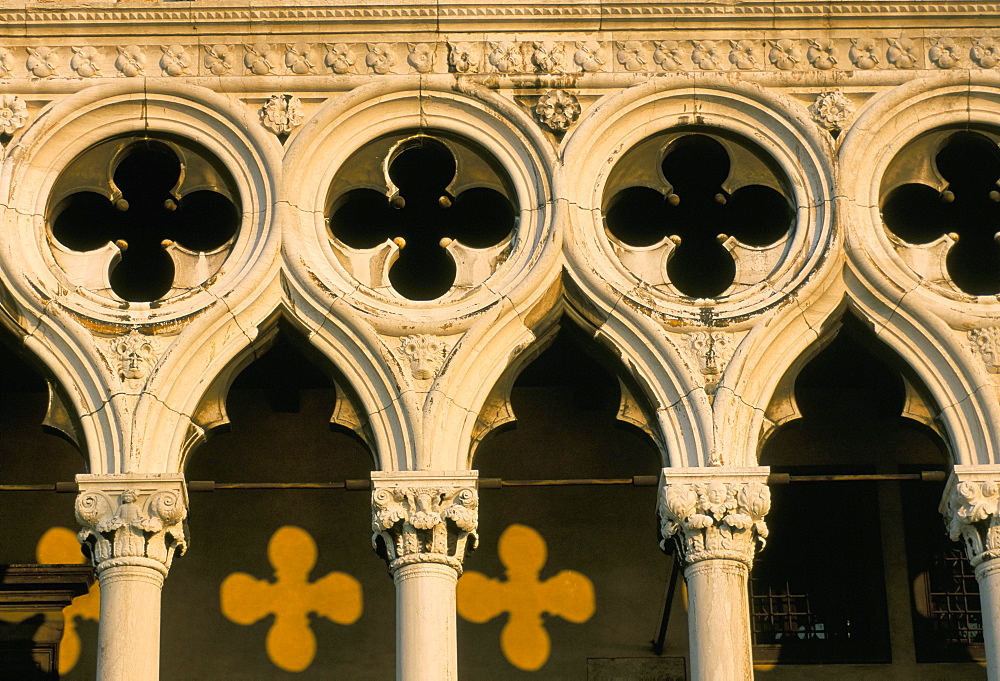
column 59, row 546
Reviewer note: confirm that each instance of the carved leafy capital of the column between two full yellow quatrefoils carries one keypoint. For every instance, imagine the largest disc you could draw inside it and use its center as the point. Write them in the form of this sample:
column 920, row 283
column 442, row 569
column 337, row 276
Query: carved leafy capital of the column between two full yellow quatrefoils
column 425, row 518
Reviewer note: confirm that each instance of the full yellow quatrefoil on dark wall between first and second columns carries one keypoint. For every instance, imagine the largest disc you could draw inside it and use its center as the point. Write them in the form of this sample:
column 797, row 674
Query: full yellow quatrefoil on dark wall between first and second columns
column 291, row 644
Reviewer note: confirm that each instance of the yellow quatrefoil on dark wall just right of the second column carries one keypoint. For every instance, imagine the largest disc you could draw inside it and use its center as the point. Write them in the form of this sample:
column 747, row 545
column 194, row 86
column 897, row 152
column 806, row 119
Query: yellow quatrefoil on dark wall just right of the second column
column 524, row 641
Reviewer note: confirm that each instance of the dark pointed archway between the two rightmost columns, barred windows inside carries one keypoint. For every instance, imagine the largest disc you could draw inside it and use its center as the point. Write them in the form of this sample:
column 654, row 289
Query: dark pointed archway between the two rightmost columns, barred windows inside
column 859, row 572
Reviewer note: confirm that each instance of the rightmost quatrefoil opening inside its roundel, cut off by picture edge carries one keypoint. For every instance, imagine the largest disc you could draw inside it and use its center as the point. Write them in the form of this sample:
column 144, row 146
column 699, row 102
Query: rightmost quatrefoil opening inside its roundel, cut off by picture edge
column 941, row 198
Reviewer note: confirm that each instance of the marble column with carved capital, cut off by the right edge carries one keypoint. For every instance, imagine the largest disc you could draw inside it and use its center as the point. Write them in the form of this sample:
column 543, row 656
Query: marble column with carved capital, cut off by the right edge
column 969, row 506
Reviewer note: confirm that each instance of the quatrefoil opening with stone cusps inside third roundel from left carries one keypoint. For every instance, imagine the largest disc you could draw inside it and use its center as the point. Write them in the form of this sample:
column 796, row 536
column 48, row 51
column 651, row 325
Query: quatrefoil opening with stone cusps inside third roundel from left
column 701, row 203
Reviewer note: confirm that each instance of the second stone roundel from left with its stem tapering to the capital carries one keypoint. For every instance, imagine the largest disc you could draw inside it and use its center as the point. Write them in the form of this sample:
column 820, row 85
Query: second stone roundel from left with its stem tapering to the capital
column 428, row 155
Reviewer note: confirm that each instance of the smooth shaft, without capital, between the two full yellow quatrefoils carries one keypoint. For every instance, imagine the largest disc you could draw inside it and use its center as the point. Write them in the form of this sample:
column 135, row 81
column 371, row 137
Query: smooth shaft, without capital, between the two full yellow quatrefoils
column 426, row 644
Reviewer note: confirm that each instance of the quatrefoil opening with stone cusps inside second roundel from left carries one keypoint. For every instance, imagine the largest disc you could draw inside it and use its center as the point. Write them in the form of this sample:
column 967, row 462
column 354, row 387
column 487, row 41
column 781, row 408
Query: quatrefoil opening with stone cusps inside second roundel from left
column 430, row 212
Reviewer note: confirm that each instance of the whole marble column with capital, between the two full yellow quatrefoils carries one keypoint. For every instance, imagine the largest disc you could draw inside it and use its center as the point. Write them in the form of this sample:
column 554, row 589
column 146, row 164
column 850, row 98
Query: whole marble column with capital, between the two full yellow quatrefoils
column 425, row 522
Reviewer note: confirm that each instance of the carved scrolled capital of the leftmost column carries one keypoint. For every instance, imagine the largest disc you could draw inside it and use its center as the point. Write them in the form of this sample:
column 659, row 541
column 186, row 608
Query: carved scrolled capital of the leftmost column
column 132, row 519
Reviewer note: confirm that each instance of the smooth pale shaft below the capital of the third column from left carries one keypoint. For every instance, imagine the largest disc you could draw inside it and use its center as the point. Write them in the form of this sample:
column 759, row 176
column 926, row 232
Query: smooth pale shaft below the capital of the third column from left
column 719, row 621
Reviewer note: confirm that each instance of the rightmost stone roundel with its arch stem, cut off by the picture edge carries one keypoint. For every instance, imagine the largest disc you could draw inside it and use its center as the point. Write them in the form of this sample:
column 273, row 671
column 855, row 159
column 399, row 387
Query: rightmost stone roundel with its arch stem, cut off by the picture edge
column 941, row 323
